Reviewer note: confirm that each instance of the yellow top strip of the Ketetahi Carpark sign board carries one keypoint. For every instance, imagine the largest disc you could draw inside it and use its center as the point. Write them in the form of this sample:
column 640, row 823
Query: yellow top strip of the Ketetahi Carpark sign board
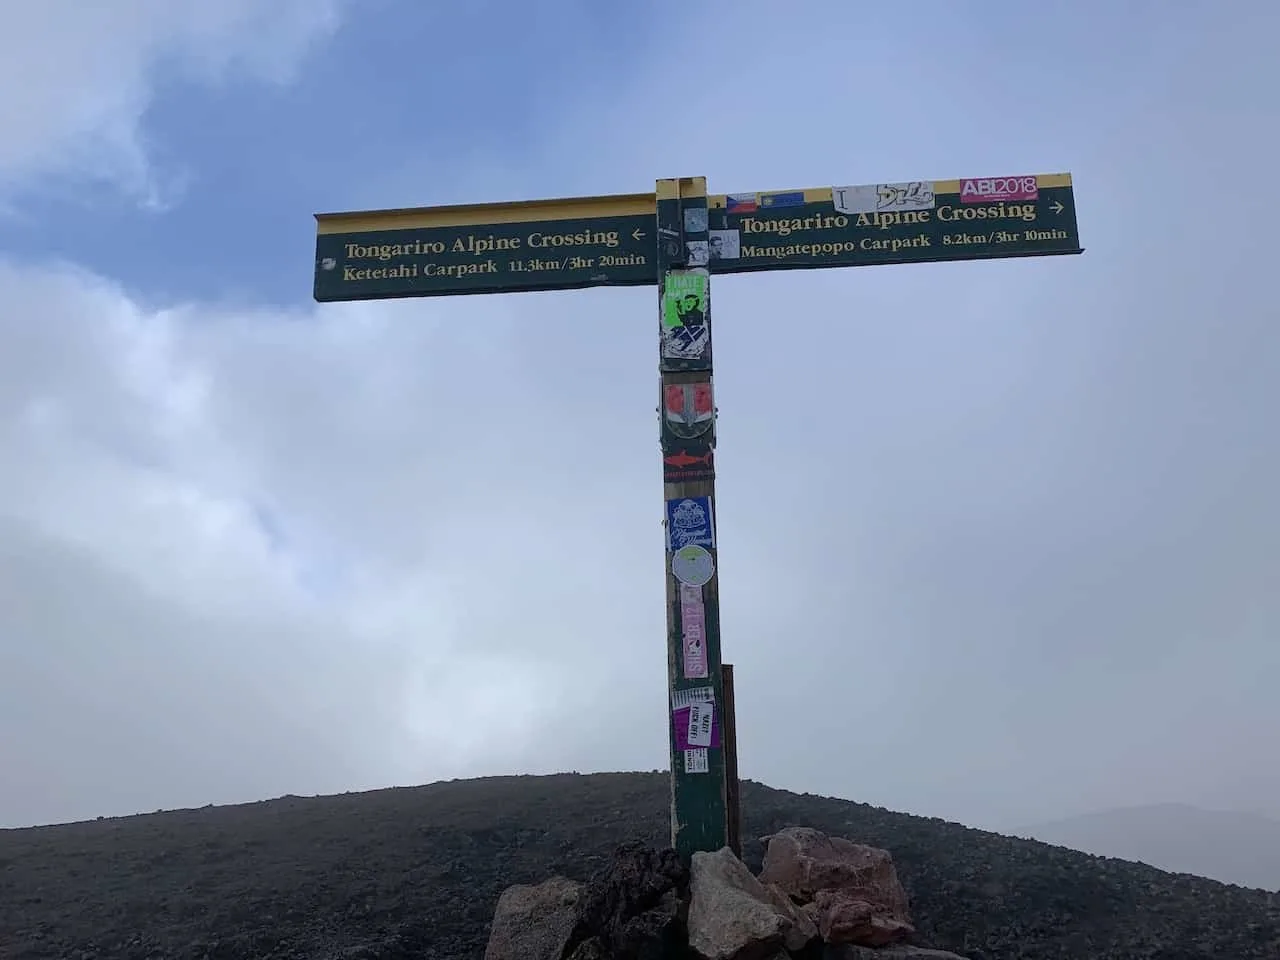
column 483, row 214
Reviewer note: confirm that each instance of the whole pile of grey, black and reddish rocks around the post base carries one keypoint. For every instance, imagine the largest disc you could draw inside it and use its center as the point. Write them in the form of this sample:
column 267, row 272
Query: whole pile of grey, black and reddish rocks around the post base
column 819, row 898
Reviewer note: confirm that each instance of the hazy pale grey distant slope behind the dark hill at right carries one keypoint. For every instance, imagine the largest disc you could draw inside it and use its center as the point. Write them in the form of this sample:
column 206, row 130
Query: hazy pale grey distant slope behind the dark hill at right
column 1233, row 848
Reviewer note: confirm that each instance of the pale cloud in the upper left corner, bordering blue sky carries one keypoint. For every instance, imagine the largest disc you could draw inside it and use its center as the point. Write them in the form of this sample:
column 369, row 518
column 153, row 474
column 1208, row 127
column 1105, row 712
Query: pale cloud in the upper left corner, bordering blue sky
column 79, row 79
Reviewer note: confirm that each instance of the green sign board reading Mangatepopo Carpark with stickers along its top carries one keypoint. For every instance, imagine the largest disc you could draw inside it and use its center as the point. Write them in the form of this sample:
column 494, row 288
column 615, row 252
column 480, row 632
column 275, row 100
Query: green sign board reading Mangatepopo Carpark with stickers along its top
column 894, row 223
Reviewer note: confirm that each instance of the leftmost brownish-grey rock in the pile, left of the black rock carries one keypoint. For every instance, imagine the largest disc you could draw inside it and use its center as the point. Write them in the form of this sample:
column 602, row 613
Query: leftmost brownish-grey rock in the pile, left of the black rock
column 534, row 922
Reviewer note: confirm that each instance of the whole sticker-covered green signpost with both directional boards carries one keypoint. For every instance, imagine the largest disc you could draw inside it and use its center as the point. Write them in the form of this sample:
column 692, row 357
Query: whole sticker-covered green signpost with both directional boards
column 678, row 239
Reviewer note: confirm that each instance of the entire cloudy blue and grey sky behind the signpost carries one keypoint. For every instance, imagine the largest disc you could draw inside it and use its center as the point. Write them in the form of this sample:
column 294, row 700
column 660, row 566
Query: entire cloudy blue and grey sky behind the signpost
column 999, row 540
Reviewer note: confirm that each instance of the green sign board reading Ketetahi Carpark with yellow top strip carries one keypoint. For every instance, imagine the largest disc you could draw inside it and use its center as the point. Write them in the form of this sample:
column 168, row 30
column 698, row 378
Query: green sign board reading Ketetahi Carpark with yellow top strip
column 486, row 249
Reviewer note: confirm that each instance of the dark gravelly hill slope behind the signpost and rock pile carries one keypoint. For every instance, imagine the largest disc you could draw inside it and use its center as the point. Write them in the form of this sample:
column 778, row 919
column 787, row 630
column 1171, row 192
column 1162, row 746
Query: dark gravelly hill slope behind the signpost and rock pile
column 415, row 874
